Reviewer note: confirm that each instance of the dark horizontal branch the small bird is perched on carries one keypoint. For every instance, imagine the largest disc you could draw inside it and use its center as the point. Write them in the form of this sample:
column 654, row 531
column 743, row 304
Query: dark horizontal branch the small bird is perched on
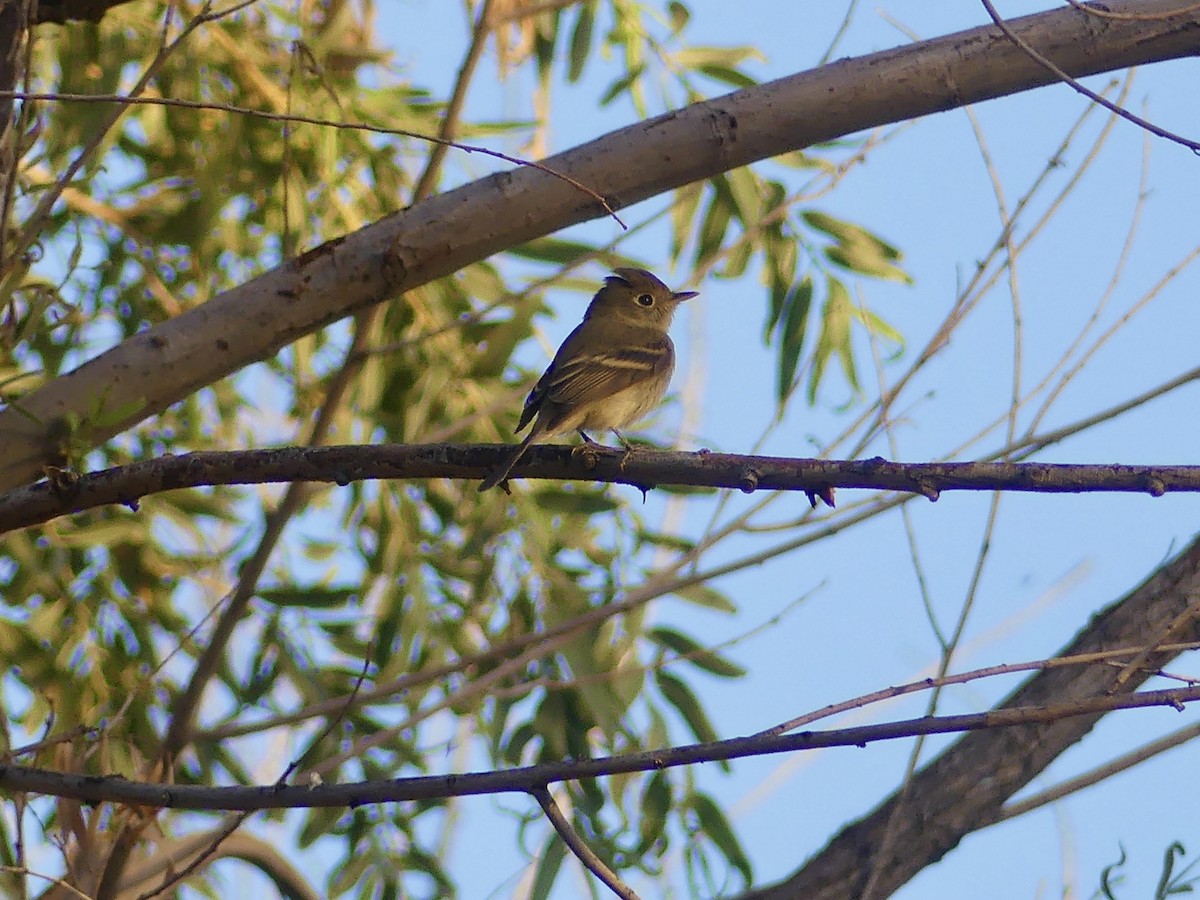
column 644, row 469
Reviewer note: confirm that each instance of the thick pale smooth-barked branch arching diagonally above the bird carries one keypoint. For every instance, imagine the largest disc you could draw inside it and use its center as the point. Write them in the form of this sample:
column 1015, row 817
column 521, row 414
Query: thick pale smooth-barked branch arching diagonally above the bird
column 433, row 239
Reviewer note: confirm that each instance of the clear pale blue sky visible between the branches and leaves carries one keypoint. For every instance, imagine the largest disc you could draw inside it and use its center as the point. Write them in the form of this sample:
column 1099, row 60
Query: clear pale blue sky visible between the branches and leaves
column 1054, row 561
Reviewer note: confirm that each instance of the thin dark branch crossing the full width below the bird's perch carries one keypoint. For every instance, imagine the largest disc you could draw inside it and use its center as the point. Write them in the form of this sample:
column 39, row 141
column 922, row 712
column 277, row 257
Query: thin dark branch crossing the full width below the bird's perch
column 115, row 789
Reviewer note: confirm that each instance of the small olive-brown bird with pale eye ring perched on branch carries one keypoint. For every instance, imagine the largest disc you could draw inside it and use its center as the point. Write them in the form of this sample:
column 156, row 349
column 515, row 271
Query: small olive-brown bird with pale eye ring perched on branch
column 611, row 370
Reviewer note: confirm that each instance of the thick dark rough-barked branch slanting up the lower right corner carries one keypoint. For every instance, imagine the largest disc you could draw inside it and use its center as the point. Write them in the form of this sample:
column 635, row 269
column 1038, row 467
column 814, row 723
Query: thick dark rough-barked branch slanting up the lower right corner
column 968, row 787
